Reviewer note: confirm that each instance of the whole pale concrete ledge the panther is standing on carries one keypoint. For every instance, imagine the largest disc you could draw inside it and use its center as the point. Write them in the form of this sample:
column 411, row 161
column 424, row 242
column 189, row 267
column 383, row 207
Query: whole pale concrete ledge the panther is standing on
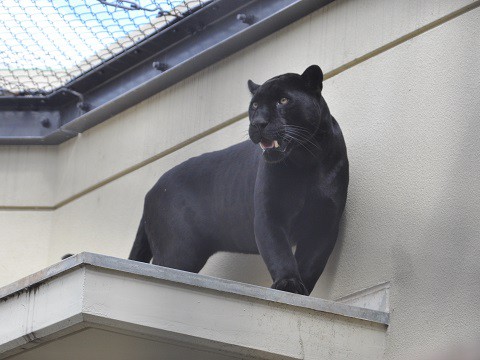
column 139, row 310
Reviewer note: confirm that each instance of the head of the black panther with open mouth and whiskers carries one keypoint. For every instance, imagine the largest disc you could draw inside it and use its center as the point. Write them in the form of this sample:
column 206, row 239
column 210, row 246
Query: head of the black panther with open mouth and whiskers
column 285, row 112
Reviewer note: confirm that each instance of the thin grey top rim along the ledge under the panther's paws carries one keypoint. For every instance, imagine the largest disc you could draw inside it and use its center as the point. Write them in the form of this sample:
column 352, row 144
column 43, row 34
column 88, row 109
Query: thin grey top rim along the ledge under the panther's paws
column 194, row 280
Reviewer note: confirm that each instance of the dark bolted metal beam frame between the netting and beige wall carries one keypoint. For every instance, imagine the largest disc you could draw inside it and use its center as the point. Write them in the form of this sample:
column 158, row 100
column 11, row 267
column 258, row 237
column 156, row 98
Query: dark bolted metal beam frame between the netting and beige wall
column 210, row 34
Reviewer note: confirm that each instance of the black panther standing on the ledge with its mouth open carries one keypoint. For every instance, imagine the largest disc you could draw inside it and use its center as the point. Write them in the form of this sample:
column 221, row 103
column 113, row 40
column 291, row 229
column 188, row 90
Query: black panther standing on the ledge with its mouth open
column 285, row 187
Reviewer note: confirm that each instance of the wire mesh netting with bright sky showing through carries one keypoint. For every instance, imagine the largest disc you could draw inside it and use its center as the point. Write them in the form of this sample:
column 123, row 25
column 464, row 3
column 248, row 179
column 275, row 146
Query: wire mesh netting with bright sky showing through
column 46, row 44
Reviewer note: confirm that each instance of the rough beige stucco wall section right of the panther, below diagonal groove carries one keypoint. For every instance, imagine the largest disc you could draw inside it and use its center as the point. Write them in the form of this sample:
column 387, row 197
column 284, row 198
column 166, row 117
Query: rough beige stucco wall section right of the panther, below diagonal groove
column 410, row 117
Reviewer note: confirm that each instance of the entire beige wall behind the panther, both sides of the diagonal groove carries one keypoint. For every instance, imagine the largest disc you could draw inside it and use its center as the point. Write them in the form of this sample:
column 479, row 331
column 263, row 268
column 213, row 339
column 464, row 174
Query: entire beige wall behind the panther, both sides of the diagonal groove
column 403, row 84
